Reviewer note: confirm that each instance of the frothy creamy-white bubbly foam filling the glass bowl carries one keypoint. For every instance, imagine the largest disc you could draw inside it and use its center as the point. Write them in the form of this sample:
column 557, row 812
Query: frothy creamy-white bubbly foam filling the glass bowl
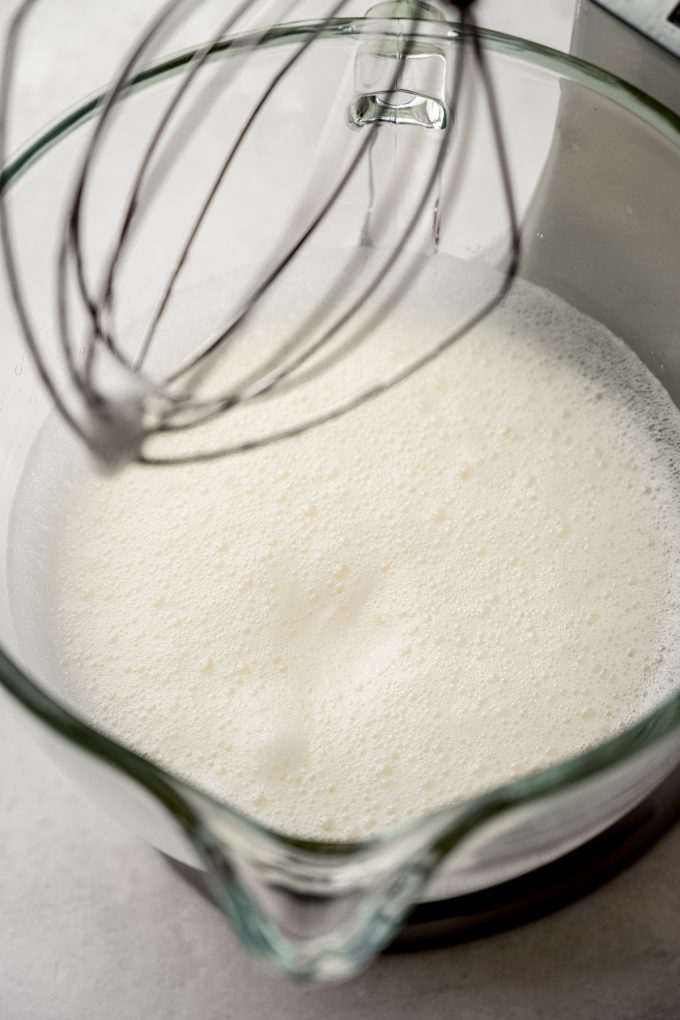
column 467, row 580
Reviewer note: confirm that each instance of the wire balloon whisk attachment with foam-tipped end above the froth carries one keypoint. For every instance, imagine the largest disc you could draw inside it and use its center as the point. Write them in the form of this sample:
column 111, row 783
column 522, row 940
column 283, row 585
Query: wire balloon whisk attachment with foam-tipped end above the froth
column 407, row 78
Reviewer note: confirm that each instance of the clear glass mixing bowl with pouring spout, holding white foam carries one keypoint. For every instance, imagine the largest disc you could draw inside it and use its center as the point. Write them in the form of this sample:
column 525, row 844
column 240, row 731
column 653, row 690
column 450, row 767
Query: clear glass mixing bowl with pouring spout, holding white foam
column 596, row 166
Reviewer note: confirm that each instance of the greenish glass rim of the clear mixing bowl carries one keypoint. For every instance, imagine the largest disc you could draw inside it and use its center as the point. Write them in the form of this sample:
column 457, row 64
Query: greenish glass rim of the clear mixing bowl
column 180, row 796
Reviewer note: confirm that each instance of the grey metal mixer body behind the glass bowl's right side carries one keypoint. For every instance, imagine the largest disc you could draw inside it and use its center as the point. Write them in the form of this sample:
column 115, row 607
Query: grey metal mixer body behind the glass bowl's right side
column 589, row 206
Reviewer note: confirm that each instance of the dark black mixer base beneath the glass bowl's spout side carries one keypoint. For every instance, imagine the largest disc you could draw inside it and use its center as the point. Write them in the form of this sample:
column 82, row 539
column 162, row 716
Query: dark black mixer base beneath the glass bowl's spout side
column 531, row 896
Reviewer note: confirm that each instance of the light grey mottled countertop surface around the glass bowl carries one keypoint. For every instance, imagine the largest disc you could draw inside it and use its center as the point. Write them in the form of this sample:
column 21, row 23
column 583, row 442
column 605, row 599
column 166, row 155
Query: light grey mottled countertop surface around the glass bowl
column 94, row 926
